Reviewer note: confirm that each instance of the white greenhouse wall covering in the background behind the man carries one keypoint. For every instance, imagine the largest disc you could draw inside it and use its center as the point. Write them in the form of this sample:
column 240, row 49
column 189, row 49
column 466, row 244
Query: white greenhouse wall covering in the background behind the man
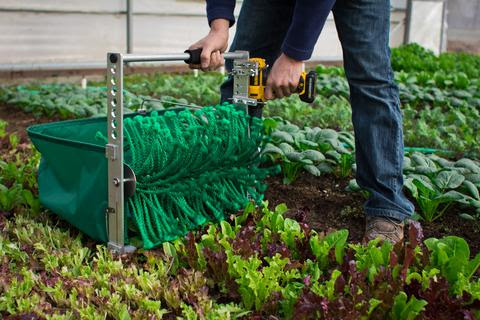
column 71, row 31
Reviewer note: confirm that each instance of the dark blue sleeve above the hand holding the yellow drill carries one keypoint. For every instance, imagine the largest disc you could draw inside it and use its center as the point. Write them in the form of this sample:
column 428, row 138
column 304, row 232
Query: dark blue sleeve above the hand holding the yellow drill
column 308, row 20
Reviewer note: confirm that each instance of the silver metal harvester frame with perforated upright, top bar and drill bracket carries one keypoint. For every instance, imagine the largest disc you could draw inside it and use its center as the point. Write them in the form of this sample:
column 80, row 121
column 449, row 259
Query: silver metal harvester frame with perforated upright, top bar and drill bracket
column 121, row 178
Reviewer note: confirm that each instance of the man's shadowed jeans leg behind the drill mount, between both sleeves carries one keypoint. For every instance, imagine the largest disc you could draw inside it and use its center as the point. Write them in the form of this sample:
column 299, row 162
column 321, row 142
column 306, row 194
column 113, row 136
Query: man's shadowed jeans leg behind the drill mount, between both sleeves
column 261, row 28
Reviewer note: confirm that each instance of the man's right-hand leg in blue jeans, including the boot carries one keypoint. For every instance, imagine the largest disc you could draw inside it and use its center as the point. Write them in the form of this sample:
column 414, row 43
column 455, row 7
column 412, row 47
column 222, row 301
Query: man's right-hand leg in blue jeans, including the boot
column 363, row 28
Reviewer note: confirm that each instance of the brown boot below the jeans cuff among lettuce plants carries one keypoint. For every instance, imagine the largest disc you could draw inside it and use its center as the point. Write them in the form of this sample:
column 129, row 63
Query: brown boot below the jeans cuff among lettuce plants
column 384, row 228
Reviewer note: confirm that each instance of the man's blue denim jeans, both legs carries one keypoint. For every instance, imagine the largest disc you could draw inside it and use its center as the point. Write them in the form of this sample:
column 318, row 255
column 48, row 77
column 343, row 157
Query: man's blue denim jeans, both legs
column 363, row 29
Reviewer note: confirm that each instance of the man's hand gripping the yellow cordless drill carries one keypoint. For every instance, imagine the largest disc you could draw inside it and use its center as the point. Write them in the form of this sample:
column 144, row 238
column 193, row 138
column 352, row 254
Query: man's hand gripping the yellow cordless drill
column 283, row 78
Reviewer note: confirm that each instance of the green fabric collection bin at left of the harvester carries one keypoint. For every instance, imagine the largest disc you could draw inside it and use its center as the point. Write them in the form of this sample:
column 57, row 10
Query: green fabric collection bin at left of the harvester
column 72, row 177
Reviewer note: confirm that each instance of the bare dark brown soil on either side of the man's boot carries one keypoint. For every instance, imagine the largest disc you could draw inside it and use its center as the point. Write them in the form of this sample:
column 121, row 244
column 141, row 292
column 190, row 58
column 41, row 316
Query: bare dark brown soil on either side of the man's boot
column 327, row 206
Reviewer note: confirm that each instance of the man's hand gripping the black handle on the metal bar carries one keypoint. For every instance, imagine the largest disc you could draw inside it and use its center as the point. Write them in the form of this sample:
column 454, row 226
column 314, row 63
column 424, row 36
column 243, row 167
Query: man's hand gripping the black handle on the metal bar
column 213, row 46
